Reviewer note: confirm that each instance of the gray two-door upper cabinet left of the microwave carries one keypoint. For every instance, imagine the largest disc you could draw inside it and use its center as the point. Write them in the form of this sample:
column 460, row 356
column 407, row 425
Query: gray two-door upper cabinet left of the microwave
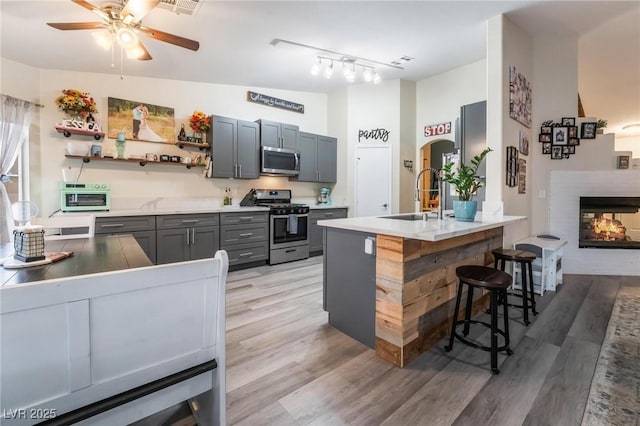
column 236, row 148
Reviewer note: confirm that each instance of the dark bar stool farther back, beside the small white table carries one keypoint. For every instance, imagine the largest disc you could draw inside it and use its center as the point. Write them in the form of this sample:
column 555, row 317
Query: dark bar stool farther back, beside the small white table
column 525, row 259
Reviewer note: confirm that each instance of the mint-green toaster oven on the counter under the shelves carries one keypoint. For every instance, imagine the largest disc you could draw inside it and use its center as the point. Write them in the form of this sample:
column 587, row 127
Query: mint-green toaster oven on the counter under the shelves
column 76, row 196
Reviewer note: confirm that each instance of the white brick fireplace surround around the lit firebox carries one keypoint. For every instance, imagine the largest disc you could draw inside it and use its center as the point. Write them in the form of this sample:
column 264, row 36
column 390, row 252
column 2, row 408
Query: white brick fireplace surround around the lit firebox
column 565, row 190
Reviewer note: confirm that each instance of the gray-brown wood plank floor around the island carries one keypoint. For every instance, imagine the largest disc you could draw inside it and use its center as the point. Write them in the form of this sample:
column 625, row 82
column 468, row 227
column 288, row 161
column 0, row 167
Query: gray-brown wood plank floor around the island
column 287, row 366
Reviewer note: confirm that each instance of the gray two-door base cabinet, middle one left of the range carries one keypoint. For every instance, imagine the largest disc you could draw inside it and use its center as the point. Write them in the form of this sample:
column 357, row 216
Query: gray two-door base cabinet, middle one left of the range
column 187, row 237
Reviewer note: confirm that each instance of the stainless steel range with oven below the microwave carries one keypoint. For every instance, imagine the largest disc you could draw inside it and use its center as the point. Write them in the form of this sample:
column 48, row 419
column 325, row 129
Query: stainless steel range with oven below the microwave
column 288, row 230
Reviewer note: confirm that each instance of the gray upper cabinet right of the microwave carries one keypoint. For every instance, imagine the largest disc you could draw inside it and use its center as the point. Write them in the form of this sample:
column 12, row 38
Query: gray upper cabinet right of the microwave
column 318, row 158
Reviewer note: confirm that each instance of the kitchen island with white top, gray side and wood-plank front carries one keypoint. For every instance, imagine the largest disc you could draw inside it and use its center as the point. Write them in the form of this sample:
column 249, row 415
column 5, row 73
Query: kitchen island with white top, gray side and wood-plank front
column 391, row 283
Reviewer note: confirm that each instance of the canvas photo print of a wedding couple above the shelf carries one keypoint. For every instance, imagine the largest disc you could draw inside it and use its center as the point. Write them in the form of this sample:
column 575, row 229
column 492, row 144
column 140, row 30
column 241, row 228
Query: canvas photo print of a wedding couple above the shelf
column 140, row 121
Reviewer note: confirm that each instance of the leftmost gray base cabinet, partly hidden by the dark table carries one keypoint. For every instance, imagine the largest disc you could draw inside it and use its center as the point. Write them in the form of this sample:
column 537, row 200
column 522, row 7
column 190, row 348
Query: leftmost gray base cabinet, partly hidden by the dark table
column 143, row 229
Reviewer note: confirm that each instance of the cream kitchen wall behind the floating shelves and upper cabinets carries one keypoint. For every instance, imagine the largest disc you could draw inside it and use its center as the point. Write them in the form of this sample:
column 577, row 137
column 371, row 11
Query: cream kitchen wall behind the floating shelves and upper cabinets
column 134, row 184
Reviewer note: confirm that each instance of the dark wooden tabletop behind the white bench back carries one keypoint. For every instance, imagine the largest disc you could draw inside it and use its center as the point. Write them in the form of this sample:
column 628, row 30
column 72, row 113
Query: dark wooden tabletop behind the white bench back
column 90, row 255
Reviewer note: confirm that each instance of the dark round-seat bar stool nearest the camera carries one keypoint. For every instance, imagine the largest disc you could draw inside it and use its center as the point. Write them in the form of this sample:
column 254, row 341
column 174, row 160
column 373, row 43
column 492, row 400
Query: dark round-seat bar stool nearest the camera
column 497, row 282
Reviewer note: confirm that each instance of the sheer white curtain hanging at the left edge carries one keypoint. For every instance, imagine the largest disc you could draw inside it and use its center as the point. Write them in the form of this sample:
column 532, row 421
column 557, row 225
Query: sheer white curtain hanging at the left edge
column 14, row 128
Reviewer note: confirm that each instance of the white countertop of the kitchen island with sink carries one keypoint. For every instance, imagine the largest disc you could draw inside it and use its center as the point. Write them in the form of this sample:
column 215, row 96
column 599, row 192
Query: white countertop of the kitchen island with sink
column 432, row 229
